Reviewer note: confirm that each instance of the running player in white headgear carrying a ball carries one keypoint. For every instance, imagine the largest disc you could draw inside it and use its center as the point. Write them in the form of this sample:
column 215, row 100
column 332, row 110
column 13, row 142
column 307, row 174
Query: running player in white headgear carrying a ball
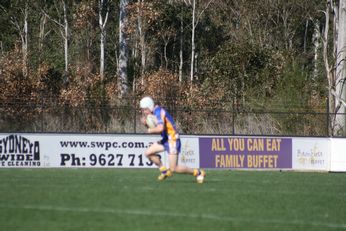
column 170, row 141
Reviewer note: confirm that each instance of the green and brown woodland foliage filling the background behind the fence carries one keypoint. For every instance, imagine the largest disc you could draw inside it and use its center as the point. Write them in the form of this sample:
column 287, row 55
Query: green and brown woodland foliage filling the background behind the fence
column 250, row 55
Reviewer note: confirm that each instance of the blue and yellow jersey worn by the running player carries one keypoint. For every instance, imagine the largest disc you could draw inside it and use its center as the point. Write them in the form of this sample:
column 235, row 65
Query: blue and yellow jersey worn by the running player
column 169, row 129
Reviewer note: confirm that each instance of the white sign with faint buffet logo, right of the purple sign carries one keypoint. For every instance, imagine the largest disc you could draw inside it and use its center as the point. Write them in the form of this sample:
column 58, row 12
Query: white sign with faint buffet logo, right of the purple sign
column 311, row 154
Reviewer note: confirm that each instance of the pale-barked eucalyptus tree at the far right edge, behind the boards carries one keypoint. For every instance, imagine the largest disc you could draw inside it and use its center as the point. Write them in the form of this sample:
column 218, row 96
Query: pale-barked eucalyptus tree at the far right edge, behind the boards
column 335, row 66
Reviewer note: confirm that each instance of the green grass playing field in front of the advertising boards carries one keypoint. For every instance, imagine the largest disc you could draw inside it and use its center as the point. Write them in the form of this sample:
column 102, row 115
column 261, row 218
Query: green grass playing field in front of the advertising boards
column 130, row 199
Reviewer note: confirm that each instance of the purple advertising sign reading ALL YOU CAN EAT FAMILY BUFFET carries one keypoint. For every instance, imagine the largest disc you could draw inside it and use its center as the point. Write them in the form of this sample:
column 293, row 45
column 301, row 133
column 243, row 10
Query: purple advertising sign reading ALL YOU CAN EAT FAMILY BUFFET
column 245, row 152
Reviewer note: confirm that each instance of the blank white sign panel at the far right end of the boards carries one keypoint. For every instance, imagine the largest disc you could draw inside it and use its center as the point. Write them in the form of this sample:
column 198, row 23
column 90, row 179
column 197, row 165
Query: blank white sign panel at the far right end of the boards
column 338, row 155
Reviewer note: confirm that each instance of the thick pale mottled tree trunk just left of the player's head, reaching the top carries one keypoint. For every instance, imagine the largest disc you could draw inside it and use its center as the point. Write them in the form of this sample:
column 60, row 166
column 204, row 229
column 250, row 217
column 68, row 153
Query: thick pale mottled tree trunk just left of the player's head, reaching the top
column 123, row 53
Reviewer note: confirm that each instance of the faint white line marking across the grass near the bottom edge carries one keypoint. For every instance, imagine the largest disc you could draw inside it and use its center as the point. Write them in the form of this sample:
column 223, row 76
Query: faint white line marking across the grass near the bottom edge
column 140, row 212
